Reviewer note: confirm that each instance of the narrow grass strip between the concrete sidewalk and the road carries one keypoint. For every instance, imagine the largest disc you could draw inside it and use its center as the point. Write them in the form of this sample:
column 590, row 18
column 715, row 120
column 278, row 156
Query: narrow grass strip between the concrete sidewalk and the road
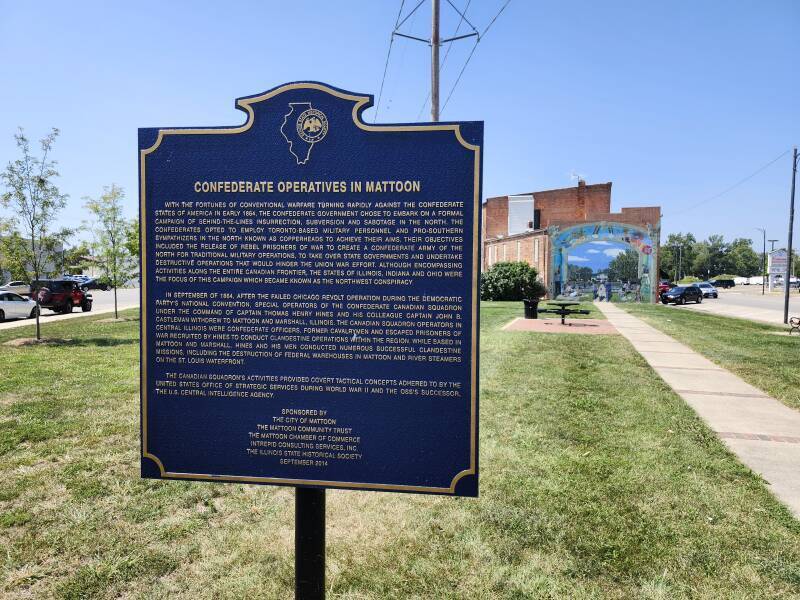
column 751, row 350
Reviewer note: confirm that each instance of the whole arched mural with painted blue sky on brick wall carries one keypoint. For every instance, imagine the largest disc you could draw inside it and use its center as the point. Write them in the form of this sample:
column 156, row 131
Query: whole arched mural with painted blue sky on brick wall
column 616, row 242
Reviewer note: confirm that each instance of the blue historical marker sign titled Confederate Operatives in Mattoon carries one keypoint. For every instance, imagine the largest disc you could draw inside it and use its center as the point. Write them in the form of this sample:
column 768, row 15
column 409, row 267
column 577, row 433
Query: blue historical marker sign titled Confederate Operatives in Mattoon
column 310, row 298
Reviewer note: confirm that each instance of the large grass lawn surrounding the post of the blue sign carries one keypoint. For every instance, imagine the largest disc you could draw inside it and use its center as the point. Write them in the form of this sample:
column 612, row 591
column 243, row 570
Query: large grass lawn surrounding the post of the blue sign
column 597, row 482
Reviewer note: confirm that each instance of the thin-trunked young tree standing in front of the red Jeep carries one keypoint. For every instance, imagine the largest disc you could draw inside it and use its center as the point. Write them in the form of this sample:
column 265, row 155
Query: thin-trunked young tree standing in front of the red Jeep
column 35, row 201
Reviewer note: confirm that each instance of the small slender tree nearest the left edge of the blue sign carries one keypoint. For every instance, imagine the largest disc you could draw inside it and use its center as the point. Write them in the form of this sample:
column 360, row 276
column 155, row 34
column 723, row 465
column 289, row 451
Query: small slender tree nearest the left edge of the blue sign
column 110, row 229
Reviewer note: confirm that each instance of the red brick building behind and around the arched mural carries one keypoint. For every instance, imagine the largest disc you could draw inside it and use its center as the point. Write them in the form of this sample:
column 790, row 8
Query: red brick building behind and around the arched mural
column 546, row 212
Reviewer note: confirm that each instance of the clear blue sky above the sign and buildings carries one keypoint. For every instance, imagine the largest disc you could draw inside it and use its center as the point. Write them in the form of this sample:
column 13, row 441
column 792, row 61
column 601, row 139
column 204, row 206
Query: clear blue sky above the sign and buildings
column 672, row 101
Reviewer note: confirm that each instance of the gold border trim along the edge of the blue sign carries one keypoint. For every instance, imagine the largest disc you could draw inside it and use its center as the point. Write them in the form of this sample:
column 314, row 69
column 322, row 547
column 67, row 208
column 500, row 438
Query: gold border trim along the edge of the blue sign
column 246, row 105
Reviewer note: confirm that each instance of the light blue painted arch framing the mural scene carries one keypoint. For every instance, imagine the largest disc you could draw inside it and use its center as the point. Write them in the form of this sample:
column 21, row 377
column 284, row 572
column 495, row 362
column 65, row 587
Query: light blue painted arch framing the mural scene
column 644, row 240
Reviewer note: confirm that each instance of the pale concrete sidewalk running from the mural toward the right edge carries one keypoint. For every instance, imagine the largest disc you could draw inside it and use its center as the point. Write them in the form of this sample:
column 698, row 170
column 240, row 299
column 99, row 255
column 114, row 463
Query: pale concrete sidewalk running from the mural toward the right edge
column 761, row 431
